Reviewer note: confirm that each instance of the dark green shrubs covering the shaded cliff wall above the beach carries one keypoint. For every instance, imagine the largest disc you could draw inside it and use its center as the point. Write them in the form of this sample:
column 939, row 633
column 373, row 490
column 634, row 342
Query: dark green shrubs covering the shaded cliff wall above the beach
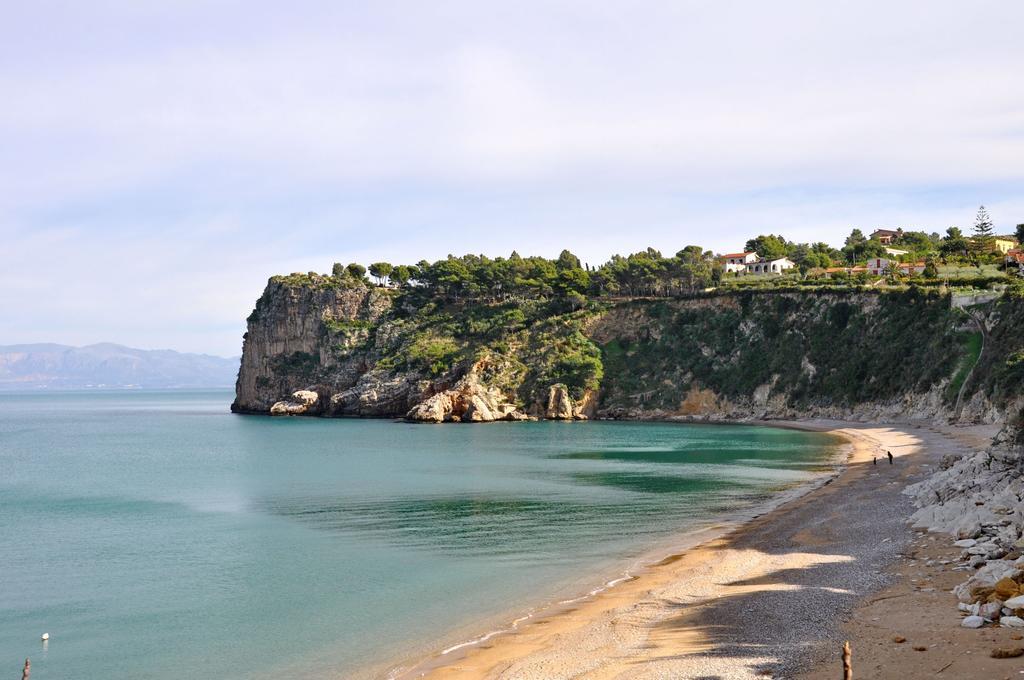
column 825, row 349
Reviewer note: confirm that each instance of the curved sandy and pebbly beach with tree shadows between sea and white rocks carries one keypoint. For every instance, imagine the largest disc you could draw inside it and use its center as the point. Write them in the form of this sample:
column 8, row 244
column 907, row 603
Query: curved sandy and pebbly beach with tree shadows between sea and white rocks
column 773, row 599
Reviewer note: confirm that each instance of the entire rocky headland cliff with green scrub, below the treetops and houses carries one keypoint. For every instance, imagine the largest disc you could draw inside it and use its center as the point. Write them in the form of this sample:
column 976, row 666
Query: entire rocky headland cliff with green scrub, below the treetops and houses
column 317, row 346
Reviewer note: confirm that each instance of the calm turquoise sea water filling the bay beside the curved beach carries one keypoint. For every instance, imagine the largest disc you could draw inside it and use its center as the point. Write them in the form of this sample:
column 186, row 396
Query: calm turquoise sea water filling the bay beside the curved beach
column 154, row 535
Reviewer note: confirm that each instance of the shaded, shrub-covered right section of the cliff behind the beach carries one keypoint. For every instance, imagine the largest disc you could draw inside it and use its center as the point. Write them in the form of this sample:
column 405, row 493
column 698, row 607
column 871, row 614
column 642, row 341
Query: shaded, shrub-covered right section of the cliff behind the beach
column 848, row 356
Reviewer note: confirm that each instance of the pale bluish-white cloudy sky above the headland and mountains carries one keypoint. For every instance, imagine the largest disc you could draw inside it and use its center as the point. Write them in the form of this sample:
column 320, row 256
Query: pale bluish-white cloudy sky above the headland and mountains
column 160, row 160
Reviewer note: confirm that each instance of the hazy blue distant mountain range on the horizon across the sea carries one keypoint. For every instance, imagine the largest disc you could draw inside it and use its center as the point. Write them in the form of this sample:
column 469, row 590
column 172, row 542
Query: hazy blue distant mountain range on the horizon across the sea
column 107, row 365
